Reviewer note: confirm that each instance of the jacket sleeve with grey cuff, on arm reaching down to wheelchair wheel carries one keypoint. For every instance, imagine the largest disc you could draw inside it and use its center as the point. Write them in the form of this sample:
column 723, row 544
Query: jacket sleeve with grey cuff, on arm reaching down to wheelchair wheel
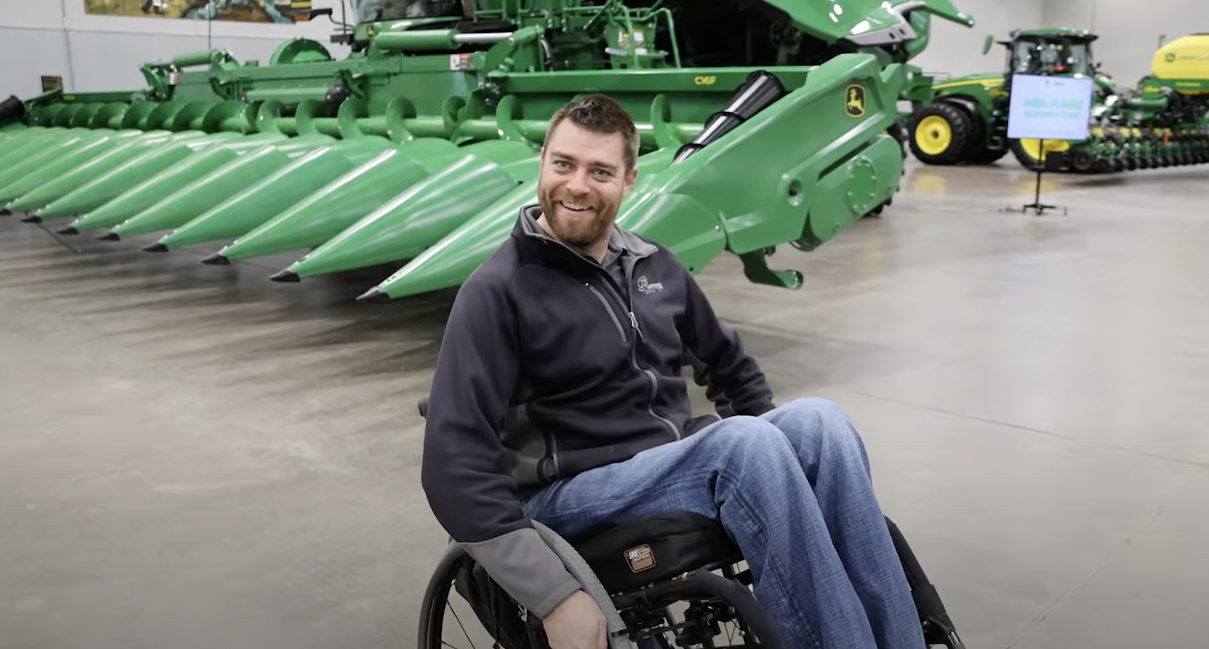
column 465, row 473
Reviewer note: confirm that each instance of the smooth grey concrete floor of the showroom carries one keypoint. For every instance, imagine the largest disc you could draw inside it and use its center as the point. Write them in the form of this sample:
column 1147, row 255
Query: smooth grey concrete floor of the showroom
column 196, row 457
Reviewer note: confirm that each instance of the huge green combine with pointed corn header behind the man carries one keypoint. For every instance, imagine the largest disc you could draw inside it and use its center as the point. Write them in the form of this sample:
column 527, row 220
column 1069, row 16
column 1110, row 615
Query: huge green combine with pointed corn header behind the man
column 761, row 125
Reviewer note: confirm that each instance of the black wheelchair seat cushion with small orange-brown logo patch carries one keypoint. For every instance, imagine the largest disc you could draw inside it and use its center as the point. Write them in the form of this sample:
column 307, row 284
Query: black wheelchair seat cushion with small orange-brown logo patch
column 656, row 548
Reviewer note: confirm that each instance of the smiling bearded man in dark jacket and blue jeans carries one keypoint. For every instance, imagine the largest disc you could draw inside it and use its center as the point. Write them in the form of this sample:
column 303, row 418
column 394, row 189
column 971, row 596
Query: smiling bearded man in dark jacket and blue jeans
column 558, row 397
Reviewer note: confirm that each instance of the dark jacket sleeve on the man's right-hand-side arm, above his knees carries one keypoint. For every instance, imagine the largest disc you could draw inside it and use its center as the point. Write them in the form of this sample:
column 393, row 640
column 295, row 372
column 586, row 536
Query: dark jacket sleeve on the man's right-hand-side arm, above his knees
column 721, row 360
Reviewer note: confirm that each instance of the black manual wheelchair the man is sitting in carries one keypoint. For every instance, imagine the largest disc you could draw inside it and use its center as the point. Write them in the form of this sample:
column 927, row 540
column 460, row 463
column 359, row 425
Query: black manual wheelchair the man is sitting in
column 656, row 580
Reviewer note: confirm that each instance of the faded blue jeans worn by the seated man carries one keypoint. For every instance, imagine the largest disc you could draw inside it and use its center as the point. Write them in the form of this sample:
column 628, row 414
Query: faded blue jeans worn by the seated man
column 794, row 490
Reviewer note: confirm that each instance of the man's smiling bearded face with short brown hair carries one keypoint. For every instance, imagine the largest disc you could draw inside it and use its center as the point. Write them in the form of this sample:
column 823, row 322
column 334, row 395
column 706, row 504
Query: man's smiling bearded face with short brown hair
column 582, row 184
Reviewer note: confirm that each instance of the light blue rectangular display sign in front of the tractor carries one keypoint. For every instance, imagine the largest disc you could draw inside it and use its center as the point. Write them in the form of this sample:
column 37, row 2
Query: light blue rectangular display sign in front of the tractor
column 1050, row 108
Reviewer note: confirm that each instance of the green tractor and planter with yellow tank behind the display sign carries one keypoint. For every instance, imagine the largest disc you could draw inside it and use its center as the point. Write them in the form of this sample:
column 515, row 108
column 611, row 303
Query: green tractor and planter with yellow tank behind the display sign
column 1162, row 123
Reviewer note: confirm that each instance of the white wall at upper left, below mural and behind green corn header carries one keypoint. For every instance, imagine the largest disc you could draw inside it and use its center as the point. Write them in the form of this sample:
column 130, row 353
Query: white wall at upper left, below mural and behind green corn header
column 105, row 53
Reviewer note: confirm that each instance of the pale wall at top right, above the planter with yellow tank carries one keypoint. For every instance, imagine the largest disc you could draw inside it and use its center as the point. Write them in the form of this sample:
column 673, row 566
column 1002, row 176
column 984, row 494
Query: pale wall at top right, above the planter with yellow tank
column 1130, row 32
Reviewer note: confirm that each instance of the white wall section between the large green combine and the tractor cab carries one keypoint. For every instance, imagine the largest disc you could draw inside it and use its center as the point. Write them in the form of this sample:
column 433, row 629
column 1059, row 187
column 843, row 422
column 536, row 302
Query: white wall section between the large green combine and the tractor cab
column 957, row 50
